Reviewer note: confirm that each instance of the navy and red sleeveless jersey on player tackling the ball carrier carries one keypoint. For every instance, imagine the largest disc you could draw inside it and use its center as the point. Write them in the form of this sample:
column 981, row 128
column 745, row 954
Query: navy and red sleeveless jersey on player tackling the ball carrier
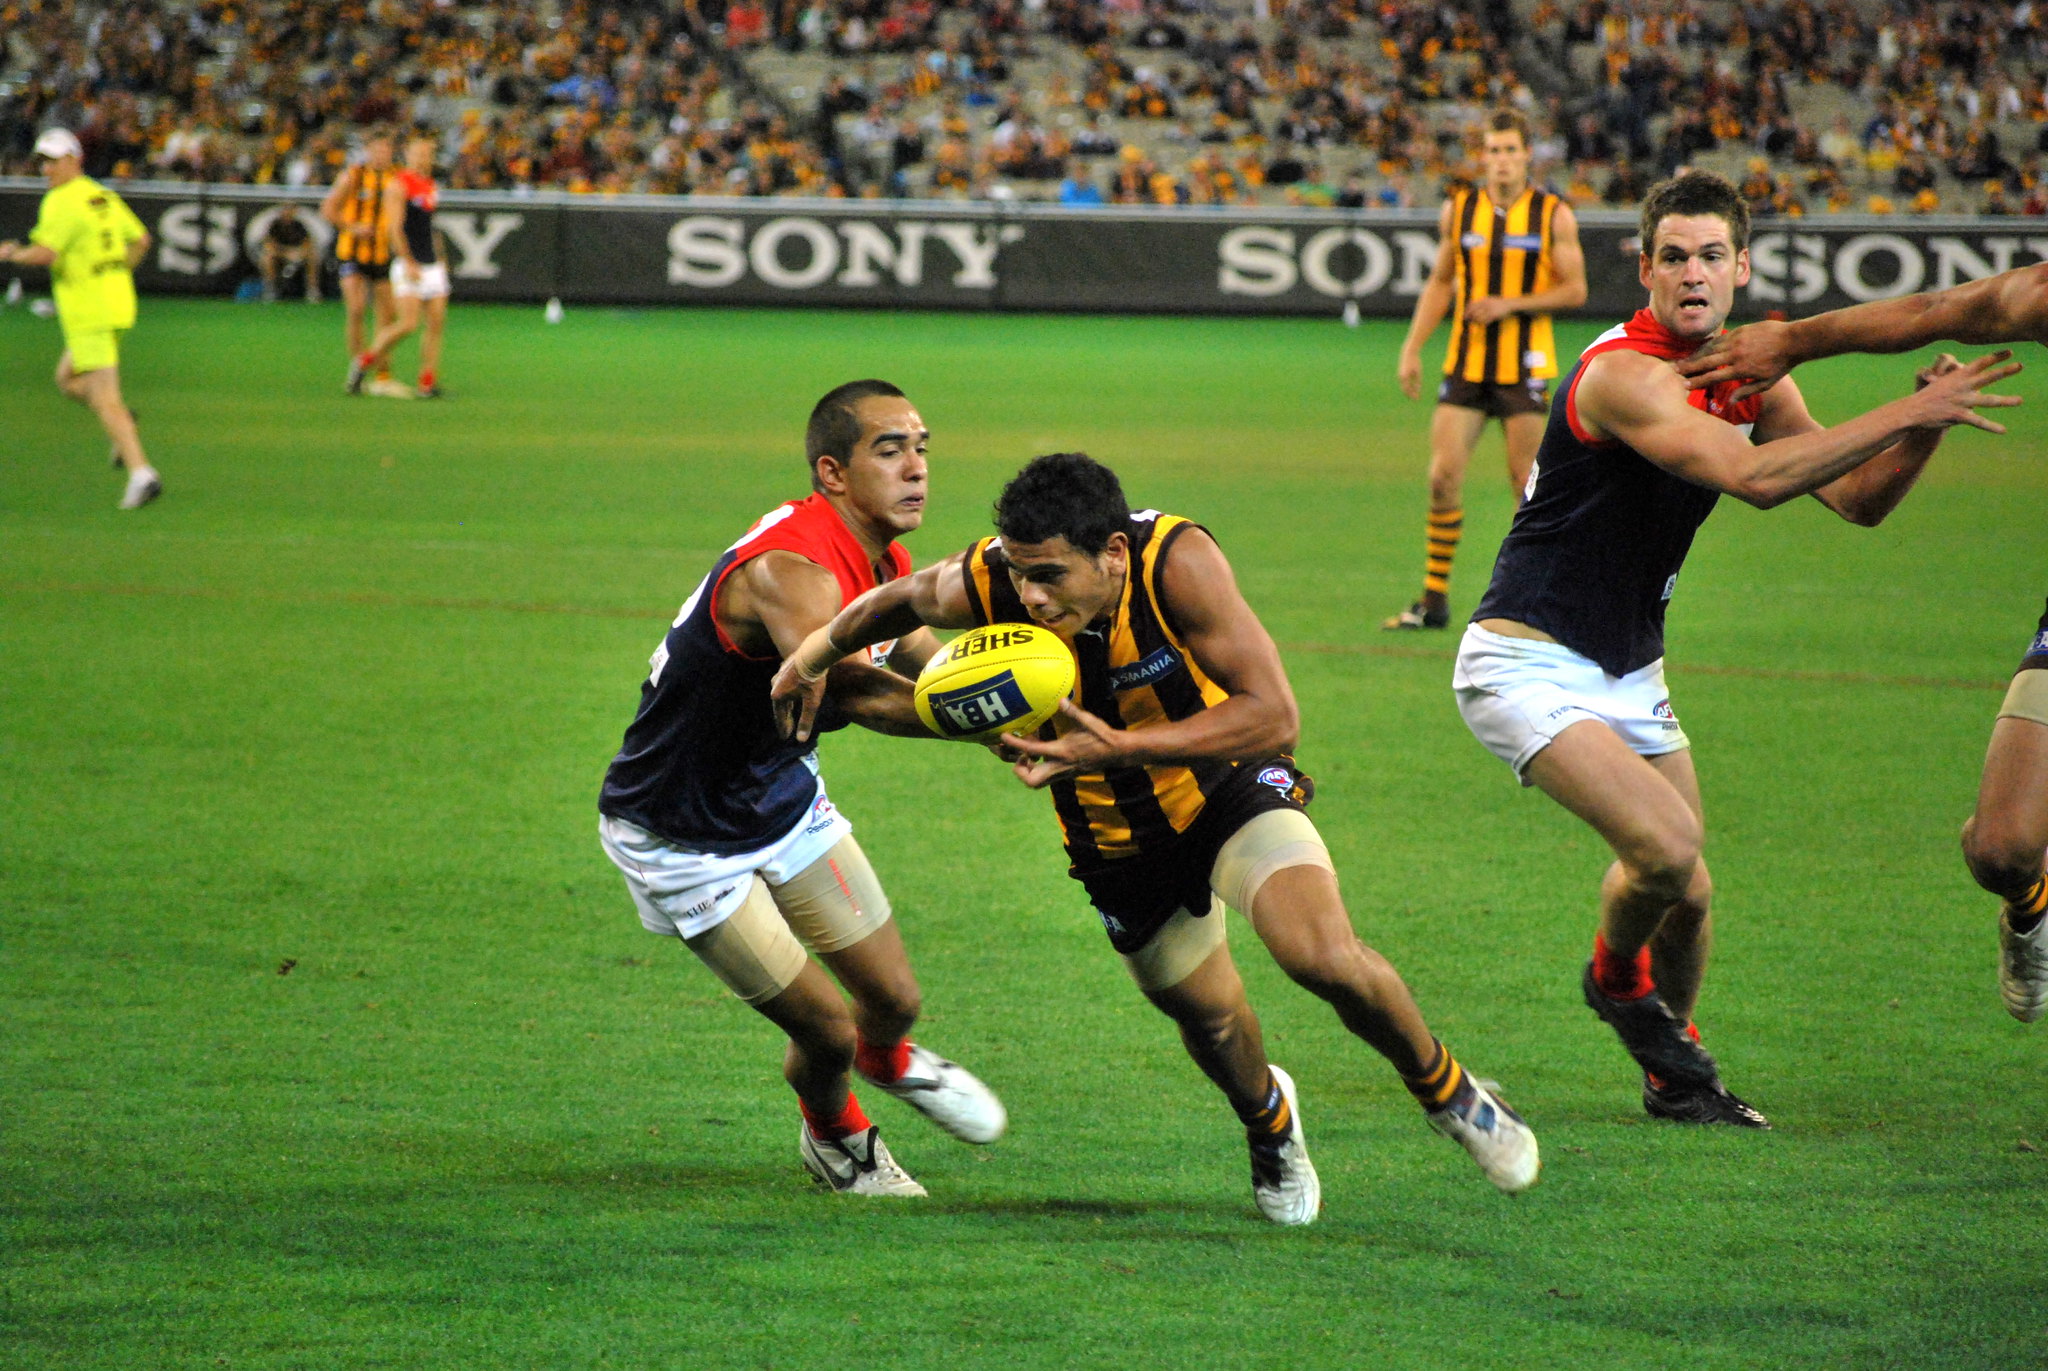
column 703, row 763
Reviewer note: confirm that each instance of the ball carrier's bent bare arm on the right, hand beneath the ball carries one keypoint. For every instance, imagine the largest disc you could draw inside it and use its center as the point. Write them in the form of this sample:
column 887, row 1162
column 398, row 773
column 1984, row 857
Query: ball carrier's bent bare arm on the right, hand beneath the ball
column 1232, row 649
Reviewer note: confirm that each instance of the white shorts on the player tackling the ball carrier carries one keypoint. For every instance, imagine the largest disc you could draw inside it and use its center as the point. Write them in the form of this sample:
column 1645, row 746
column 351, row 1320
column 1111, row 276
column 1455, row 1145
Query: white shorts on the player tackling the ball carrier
column 683, row 895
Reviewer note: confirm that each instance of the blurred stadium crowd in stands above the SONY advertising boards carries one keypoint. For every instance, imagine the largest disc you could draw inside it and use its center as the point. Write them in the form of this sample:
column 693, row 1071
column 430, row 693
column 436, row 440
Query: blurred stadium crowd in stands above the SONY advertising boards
column 1811, row 106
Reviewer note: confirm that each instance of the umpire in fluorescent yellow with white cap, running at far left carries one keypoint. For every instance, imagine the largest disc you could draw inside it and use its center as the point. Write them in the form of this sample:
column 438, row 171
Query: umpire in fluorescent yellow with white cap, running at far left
column 91, row 241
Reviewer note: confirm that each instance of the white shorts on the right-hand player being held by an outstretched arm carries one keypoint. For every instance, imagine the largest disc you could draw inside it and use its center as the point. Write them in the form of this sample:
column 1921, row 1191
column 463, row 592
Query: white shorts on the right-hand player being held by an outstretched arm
column 1519, row 694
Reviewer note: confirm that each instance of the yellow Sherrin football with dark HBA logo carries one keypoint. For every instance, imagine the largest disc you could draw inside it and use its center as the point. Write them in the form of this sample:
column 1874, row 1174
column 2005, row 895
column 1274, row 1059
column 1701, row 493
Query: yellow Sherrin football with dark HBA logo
column 998, row 679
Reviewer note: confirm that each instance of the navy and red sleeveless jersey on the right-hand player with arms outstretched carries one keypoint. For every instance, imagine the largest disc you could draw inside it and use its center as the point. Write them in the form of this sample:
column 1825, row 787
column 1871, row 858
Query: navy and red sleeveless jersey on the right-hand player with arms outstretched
column 1594, row 550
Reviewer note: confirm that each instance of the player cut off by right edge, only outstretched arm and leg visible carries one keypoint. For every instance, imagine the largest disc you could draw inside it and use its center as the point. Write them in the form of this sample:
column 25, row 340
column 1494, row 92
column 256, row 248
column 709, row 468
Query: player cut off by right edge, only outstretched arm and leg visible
column 2008, row 833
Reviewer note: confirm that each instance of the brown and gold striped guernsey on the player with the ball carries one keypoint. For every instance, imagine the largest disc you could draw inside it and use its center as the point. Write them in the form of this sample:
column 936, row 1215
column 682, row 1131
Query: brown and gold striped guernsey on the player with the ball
column 1132, row 673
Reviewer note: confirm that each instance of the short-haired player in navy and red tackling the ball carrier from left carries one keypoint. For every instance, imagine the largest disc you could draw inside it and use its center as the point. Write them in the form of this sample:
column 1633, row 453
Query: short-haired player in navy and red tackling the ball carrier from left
column 724, row 831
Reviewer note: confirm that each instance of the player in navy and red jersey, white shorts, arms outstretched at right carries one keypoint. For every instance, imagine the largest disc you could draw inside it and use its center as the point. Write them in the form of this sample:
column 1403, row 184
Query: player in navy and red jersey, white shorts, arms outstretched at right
column 1562, row 671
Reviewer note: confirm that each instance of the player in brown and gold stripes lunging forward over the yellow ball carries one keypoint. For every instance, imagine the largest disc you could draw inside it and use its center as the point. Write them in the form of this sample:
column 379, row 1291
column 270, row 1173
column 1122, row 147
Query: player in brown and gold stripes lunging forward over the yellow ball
column 1177, row 794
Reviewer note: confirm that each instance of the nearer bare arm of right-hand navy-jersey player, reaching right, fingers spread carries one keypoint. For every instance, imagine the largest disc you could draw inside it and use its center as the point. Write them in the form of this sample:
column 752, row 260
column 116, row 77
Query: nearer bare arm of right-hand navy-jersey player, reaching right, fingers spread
column 1641, row 403
